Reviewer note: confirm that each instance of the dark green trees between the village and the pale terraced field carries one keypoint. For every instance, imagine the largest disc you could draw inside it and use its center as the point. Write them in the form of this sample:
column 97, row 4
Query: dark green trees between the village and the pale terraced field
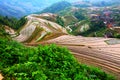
column 98, row 29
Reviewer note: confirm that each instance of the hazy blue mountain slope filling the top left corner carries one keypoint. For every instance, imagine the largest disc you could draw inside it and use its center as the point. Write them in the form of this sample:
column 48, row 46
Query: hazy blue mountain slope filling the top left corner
column 19, row 8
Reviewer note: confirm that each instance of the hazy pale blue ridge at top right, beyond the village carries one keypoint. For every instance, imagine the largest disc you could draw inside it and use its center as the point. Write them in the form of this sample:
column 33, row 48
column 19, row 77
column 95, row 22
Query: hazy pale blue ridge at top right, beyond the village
column 98, row 3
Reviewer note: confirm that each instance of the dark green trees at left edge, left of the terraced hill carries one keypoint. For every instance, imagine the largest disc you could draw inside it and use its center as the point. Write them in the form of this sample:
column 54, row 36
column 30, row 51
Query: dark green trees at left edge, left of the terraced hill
column 12, row 22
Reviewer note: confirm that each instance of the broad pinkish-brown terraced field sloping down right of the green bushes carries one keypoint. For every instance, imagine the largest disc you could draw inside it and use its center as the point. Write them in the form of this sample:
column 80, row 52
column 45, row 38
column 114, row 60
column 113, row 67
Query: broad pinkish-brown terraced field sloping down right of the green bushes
column 92, row 51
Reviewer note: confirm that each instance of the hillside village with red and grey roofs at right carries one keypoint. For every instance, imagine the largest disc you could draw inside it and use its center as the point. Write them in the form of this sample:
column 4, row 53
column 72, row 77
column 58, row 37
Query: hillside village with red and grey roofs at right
column 110, row 16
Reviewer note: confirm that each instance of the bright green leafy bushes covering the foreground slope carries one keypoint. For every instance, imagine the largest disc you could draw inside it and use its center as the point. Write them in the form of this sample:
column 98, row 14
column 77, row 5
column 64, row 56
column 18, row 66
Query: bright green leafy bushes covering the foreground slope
column 52, row 62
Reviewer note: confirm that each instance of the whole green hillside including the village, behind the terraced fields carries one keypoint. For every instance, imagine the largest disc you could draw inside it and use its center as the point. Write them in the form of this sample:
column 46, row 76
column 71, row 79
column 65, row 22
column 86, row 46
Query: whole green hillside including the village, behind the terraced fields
column 91, row 21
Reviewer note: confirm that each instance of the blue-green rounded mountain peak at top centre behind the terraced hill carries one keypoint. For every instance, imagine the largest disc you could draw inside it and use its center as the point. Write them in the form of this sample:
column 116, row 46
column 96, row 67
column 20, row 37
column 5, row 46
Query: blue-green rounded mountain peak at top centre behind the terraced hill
column 54, row 8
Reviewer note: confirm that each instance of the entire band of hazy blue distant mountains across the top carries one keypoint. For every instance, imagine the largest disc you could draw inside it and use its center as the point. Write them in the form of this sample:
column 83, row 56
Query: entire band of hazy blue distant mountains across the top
column 19, row 8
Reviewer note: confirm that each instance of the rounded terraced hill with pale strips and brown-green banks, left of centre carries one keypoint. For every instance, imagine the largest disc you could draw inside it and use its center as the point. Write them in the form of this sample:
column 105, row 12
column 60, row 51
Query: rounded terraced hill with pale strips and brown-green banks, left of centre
column 37, row 28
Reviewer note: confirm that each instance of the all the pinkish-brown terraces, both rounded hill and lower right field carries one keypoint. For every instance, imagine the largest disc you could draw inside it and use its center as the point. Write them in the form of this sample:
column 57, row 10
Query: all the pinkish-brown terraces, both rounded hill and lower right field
column 101, row 52
